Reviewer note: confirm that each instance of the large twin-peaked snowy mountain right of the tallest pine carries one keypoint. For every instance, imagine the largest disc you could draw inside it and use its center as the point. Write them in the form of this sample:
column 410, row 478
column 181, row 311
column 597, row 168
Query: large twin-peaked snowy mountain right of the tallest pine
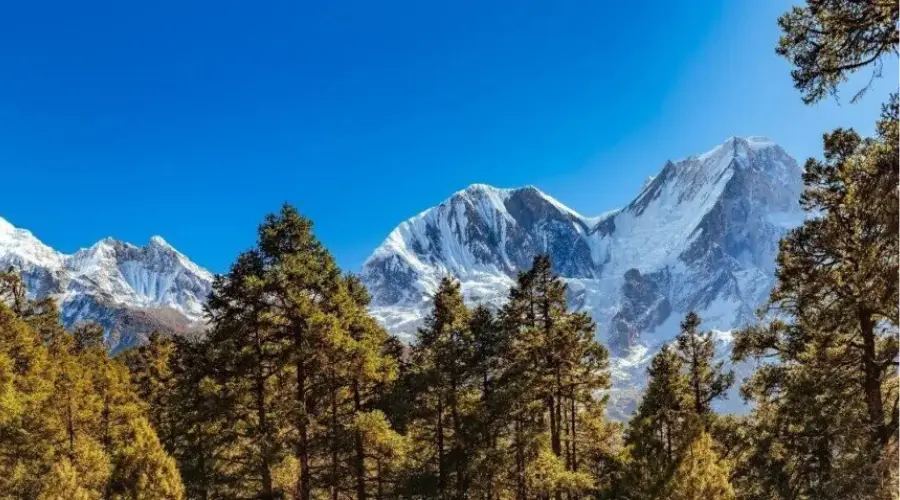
column 701, row 235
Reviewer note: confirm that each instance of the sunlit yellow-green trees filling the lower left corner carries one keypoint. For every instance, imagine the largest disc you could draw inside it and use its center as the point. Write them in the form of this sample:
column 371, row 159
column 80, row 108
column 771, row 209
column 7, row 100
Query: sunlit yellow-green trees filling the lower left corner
column 70, row 423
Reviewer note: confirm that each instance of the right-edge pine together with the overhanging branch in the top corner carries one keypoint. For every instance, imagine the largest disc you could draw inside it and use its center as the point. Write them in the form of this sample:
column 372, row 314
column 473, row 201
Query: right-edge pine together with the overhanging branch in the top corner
column 825, row 421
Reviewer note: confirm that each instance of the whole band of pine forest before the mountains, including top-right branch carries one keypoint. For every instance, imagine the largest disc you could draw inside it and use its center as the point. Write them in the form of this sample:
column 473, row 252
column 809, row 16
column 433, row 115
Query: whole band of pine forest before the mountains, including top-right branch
column 295, row 391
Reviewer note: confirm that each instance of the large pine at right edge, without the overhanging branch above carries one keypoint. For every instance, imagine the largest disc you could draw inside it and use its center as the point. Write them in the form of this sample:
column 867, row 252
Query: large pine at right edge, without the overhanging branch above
column 837, row 289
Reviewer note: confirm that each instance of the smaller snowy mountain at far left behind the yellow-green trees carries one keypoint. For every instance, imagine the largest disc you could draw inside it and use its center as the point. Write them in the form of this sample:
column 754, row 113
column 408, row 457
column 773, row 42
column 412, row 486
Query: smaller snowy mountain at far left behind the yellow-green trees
column 130, row 290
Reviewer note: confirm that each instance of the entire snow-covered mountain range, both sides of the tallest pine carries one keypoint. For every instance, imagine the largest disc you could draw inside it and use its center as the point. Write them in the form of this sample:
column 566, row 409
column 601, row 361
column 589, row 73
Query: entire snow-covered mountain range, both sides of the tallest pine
column 701, row 235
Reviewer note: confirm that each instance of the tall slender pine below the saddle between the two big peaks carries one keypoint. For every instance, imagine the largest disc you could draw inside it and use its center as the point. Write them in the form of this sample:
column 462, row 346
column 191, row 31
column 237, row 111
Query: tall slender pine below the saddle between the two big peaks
column 553, row 371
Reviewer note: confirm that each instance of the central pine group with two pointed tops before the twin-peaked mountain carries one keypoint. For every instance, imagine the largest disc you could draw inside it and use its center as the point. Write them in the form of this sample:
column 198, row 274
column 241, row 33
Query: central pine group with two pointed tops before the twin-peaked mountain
column 509, row 404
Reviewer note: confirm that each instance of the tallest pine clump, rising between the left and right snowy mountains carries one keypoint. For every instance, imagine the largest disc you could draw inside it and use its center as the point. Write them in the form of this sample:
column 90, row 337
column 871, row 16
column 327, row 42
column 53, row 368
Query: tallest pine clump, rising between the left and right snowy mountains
column 294, row 357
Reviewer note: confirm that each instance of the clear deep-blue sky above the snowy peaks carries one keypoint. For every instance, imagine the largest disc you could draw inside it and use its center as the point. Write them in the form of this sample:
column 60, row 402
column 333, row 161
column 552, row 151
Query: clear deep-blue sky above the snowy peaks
column 193, row 119
